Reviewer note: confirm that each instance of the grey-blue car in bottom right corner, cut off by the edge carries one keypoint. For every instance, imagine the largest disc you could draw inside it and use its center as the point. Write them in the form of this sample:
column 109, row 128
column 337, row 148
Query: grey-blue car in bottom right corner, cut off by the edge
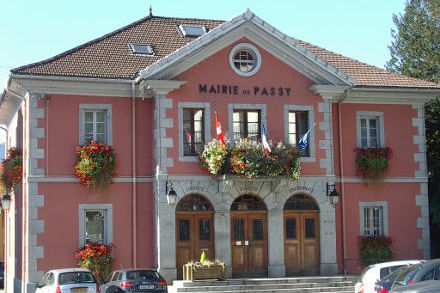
column 425, row 271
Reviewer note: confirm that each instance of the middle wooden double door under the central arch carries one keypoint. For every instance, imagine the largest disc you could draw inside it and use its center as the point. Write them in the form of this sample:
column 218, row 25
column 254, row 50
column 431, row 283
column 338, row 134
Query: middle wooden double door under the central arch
column 249, row 244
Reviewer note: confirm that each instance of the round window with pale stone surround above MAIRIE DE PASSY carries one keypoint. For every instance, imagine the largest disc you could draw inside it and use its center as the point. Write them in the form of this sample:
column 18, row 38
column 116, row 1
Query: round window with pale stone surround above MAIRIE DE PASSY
column 245, row 59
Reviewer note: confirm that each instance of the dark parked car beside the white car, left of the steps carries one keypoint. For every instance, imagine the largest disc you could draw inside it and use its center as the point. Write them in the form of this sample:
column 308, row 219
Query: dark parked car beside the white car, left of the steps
column 134, row 280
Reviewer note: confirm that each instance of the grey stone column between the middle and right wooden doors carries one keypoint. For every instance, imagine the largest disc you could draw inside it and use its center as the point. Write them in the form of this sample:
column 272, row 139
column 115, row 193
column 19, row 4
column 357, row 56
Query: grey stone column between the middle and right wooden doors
column 275, row 237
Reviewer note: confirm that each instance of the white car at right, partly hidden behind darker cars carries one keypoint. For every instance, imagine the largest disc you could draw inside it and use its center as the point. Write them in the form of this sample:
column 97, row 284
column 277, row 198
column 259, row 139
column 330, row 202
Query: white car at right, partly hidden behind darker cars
column 371, row 274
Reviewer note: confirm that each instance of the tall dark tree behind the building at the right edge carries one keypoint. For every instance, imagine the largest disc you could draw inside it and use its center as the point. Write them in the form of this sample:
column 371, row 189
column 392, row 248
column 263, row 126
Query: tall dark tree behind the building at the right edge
column 415, row 52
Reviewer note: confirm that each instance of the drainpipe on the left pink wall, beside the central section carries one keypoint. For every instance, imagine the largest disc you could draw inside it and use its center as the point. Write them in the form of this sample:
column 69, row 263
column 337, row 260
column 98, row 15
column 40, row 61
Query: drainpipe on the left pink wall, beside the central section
column 133, row 151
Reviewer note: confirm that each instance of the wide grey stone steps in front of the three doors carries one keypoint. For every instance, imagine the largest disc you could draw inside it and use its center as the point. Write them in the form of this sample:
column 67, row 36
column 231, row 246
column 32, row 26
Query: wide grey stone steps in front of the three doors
column 332, row 284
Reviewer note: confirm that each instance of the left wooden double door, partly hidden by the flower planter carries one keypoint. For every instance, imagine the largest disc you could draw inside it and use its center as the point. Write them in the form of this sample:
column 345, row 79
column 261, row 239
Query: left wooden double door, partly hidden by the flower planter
column 194, row 234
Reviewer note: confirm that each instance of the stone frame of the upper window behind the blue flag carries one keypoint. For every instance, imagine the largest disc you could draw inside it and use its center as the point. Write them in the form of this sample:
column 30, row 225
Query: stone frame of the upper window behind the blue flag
column 311, row 117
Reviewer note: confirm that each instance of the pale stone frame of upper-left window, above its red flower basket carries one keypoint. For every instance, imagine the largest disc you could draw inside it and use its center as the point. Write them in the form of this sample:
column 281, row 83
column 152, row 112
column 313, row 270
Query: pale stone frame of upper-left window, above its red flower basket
column 83, row 108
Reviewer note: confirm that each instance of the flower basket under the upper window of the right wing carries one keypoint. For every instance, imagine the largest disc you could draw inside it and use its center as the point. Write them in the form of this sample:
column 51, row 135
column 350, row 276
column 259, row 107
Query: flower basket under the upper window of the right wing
column 373, row 163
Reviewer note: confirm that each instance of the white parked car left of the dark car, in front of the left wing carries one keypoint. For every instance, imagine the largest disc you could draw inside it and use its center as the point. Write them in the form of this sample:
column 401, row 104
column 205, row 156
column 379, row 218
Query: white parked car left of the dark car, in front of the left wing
column 72, row 280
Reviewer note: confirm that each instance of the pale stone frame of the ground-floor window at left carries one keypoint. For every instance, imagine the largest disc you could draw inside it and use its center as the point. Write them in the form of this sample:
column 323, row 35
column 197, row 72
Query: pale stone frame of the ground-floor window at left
column 108, row 221
